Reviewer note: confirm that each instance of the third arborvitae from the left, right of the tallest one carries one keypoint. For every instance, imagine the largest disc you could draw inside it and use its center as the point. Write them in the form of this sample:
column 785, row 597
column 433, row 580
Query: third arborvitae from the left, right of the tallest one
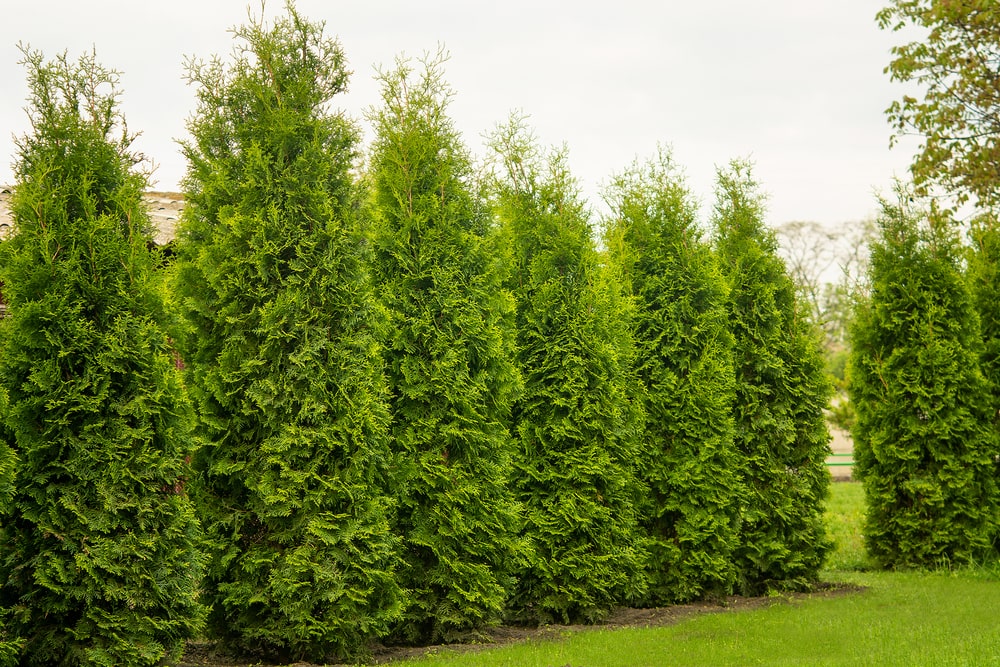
column 450, row 359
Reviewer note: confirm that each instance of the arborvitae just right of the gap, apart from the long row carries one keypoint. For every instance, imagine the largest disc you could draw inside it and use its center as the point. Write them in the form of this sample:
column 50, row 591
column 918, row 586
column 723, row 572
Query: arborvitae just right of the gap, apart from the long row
column 924, row 442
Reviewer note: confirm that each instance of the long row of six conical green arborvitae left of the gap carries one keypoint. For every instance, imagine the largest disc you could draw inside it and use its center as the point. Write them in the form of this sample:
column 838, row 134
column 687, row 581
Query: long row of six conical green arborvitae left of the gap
column 403, row 401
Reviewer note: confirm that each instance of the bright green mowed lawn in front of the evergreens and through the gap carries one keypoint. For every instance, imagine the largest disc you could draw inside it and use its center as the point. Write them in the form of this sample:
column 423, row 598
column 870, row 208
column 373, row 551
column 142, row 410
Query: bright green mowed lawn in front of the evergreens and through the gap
column 899, row 618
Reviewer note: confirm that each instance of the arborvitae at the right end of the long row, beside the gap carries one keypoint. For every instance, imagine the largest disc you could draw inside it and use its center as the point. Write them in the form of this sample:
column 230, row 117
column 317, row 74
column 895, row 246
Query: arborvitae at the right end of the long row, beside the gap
column 781, row 391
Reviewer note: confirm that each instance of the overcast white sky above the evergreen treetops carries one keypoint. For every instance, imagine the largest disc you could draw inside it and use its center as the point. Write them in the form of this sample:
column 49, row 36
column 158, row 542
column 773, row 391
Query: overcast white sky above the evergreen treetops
column 795, row 85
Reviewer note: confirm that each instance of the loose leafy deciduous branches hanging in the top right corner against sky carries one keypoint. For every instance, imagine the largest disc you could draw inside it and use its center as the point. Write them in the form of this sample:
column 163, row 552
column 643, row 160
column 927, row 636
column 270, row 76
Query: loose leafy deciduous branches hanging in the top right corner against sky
column 955, row 60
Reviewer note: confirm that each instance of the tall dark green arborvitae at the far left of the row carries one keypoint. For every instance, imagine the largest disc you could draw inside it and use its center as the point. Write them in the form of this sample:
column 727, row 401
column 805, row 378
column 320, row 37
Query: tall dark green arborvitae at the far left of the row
column 98, row 558
